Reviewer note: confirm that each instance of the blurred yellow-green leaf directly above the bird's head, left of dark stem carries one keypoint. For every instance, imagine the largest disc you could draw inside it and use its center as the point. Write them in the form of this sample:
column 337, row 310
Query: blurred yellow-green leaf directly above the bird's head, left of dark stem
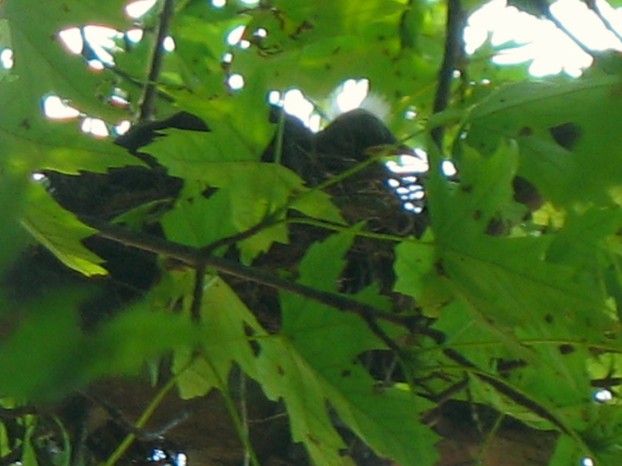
column 321, row 44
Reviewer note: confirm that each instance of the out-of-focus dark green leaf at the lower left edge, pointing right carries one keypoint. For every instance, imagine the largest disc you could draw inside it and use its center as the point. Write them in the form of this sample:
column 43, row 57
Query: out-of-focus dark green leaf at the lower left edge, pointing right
column 48, row 355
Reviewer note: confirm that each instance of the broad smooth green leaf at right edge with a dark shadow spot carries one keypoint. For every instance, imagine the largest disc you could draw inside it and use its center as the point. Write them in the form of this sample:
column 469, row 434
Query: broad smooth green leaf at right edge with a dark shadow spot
column 568, row 134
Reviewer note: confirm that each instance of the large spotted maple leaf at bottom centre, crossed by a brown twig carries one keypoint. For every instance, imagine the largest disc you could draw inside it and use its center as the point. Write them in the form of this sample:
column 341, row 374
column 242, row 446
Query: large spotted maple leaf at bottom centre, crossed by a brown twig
column 313, row 365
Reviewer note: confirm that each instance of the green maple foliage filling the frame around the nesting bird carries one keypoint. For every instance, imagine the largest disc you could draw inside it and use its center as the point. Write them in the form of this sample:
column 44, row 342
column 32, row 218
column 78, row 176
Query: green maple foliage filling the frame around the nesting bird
column 499, row 304
